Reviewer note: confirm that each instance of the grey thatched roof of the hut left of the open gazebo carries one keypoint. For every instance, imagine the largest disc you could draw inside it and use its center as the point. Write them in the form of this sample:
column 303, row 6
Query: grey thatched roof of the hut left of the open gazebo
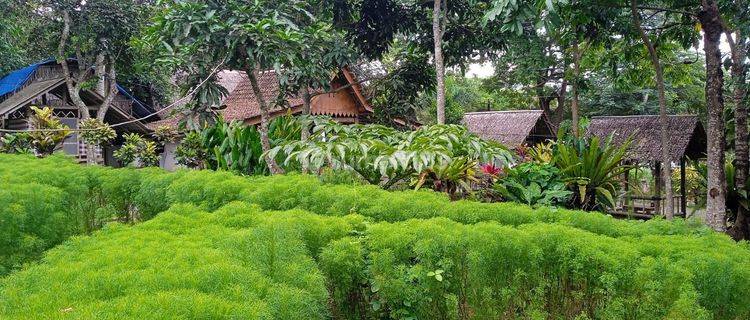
column 511, row 128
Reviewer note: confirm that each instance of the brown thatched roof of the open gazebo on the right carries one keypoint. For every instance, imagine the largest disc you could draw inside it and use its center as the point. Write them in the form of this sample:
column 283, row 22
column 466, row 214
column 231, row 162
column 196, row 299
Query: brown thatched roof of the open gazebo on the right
column 686, row 135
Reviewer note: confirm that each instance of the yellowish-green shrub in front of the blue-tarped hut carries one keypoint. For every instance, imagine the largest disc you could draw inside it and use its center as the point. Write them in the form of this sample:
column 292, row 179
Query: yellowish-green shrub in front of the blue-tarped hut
column 52, row 133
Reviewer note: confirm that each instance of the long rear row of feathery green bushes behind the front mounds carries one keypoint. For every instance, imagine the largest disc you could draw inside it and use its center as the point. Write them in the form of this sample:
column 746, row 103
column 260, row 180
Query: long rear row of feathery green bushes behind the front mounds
column 91, row 196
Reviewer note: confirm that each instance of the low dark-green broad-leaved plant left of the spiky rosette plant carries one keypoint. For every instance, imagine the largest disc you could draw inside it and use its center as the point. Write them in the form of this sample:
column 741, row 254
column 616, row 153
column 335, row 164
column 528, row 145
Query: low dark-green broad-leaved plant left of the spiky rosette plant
column 534, row 184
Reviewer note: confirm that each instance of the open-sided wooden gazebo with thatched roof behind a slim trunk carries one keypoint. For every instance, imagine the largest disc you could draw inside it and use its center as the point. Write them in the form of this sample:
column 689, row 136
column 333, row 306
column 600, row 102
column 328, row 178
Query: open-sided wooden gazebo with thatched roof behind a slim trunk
column 687, row 140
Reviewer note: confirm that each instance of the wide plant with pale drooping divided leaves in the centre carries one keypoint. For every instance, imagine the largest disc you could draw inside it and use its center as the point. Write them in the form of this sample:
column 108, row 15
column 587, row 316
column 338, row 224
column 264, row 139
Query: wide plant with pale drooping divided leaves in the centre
column 385, row 156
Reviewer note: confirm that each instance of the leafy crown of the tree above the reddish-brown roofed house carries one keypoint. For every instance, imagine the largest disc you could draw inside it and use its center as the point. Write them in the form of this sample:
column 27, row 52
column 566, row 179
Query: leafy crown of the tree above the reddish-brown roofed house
column 196, row 37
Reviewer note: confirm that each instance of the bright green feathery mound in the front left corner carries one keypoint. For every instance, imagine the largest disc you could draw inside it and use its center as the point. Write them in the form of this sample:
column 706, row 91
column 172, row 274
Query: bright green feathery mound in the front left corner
column 183, row 264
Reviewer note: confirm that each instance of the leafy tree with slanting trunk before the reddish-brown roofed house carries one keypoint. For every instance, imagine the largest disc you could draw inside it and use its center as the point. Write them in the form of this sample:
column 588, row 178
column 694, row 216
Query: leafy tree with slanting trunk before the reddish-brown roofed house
column 254, row 37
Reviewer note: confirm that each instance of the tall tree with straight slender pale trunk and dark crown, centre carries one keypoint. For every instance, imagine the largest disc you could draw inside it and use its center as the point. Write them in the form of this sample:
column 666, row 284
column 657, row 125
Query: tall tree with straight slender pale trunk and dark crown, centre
column 453, row 30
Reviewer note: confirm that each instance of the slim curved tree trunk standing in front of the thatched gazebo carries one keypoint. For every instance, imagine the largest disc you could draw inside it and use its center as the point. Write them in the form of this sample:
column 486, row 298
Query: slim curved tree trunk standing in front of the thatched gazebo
column 663, row 120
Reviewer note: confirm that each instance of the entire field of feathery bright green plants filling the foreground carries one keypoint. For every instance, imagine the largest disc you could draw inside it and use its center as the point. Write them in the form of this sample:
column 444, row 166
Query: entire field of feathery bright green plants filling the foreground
column 211, row 245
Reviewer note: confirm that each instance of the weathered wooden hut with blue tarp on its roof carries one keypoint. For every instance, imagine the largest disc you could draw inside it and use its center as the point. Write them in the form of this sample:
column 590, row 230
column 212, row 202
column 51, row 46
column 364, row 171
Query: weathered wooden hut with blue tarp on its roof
column 43, row 84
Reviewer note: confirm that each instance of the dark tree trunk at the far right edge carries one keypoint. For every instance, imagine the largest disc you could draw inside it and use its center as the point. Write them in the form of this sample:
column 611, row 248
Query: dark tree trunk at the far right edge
column 740, row 230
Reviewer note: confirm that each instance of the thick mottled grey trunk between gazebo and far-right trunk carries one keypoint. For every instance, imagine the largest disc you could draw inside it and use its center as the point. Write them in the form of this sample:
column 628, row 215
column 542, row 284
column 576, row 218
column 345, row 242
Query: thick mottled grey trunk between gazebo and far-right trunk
column 716, row 193
